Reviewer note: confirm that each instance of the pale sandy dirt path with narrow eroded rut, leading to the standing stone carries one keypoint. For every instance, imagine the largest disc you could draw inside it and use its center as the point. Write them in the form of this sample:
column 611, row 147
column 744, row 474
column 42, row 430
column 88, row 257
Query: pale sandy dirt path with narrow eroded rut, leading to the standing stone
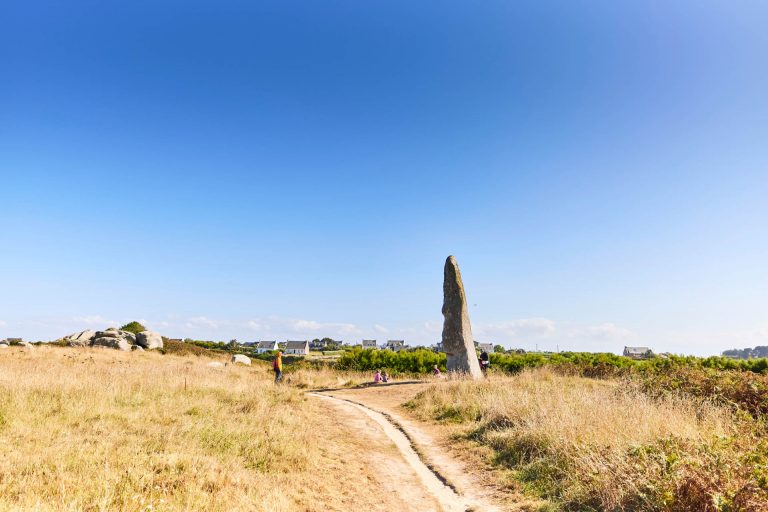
column 448, row 480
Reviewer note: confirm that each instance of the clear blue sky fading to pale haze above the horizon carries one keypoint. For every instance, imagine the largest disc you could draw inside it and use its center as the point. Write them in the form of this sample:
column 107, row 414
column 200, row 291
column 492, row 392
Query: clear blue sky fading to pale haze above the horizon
column 300, row 169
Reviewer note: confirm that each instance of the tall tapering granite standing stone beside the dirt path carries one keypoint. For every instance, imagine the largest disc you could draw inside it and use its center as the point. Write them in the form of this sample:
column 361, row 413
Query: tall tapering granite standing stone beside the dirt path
column 458, row 343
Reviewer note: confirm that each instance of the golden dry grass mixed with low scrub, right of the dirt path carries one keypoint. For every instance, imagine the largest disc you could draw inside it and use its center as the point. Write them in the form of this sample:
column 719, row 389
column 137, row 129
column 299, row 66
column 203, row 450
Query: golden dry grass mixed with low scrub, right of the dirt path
column 600, row 445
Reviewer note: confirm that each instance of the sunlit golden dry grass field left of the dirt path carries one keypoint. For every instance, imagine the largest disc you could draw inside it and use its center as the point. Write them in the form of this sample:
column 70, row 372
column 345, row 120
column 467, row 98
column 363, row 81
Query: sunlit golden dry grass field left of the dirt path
column 89, row 429
